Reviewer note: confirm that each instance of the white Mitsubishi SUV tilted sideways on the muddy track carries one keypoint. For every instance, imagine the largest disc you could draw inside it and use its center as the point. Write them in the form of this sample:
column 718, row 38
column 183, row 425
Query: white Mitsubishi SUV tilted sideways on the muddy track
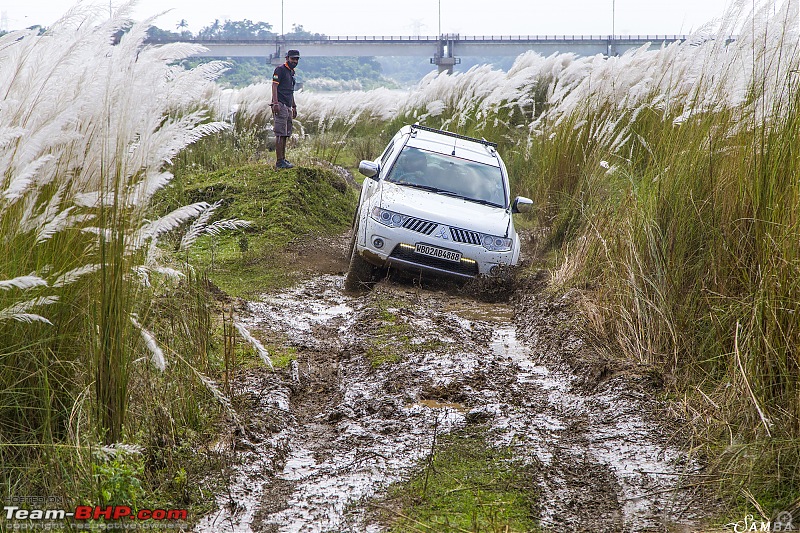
column 435, row 202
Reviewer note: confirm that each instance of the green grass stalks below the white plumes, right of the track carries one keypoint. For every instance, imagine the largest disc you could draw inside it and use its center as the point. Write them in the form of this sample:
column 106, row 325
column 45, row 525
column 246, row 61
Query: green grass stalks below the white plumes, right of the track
column 689, row 248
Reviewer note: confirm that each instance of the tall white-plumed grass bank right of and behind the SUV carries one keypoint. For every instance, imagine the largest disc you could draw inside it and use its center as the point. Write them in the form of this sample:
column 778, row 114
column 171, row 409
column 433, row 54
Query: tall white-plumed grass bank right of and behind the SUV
column 668, row 182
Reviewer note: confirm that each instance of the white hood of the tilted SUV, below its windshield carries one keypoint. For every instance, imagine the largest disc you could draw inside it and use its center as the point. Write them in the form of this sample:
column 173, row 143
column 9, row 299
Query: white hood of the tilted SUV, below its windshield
column 444, row 209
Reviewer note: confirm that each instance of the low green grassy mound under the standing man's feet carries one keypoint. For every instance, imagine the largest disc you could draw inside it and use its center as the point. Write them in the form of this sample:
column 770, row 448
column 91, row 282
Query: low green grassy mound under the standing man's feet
column 285, row 208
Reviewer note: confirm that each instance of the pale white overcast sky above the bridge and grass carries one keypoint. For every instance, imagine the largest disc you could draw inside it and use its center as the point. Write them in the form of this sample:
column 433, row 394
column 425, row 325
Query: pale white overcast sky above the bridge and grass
column 406, row 17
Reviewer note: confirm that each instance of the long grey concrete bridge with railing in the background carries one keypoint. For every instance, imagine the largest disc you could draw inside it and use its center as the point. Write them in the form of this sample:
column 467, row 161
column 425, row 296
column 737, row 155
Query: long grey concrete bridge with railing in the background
column 445, row 51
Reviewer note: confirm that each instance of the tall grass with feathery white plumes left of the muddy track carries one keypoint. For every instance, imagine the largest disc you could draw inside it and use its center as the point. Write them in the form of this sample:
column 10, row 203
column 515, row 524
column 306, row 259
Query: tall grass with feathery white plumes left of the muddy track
column 89, row 120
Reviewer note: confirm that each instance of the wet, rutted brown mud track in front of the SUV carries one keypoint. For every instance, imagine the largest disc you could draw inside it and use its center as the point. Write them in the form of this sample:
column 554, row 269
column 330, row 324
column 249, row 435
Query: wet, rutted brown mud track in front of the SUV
column 326, row 436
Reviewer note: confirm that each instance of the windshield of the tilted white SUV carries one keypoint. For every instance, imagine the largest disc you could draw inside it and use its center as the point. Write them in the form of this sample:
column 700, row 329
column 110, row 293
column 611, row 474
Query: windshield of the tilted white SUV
column 449, row 175
